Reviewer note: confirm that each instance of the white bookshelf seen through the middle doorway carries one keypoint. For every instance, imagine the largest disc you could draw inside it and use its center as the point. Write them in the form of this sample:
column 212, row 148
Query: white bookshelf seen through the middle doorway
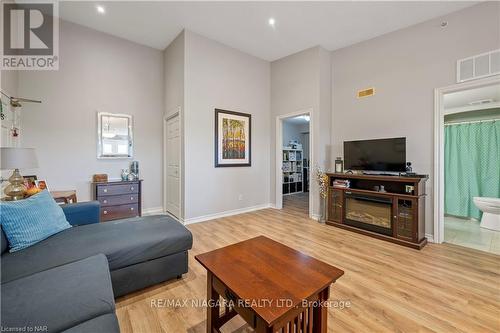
column 292, row 171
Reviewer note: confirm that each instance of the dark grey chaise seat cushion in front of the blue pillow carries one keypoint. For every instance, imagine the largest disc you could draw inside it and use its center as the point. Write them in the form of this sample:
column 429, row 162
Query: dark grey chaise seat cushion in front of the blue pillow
column 124, row 242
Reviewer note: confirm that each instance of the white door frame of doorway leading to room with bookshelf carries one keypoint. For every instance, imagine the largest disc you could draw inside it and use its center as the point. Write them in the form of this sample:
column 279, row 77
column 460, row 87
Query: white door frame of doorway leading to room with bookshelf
column 279, row 155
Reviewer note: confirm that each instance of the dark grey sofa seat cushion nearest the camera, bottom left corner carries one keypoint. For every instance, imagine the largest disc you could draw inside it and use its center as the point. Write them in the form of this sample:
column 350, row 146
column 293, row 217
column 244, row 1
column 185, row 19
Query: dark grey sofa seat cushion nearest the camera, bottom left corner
column 59, row 298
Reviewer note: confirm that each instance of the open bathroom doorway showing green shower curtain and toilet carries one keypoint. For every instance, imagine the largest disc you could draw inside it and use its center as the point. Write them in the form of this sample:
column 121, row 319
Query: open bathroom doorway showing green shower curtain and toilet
column 471, row 170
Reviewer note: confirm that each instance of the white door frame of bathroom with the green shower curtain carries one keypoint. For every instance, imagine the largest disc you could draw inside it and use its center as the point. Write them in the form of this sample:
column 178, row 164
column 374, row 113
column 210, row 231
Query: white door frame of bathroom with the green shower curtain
column 439, row 113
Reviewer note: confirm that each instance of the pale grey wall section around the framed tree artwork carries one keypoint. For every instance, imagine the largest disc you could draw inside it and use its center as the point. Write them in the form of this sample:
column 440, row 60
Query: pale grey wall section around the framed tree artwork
column 217, row 76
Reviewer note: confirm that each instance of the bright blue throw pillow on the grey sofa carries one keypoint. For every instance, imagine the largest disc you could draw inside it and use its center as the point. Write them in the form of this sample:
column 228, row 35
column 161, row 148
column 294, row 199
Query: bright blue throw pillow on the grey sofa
column 29, row 221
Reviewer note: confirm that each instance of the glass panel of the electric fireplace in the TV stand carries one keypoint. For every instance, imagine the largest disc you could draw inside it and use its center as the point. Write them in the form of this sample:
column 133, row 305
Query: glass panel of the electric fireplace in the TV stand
column 368, row 212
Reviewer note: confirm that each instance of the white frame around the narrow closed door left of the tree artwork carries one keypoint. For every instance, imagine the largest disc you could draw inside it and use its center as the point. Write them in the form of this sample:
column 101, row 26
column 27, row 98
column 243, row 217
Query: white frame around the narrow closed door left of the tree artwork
column 176, row 112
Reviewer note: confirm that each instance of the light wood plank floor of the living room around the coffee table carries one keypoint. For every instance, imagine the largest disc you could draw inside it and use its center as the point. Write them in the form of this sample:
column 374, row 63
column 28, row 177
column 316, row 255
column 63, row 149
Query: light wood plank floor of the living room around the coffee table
column 390, row 288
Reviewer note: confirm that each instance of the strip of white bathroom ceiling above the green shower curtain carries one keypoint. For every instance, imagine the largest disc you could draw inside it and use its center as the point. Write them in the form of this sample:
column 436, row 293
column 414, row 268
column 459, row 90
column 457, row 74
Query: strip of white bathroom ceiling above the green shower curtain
column 463, row 98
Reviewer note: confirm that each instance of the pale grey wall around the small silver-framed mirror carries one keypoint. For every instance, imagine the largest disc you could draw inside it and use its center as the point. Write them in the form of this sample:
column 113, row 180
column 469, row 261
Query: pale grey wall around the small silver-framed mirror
column 98, row 72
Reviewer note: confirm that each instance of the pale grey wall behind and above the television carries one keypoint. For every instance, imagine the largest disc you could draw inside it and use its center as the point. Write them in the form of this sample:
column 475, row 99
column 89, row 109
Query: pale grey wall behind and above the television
column 405, row 67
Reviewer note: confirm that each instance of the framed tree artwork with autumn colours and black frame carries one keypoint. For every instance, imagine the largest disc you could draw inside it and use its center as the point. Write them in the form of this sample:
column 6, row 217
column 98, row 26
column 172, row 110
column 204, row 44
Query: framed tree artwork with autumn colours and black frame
column 232, row 139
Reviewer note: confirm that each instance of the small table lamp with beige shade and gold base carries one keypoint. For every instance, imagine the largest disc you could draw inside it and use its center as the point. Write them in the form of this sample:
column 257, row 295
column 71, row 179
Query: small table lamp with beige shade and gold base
column 14, row 159
